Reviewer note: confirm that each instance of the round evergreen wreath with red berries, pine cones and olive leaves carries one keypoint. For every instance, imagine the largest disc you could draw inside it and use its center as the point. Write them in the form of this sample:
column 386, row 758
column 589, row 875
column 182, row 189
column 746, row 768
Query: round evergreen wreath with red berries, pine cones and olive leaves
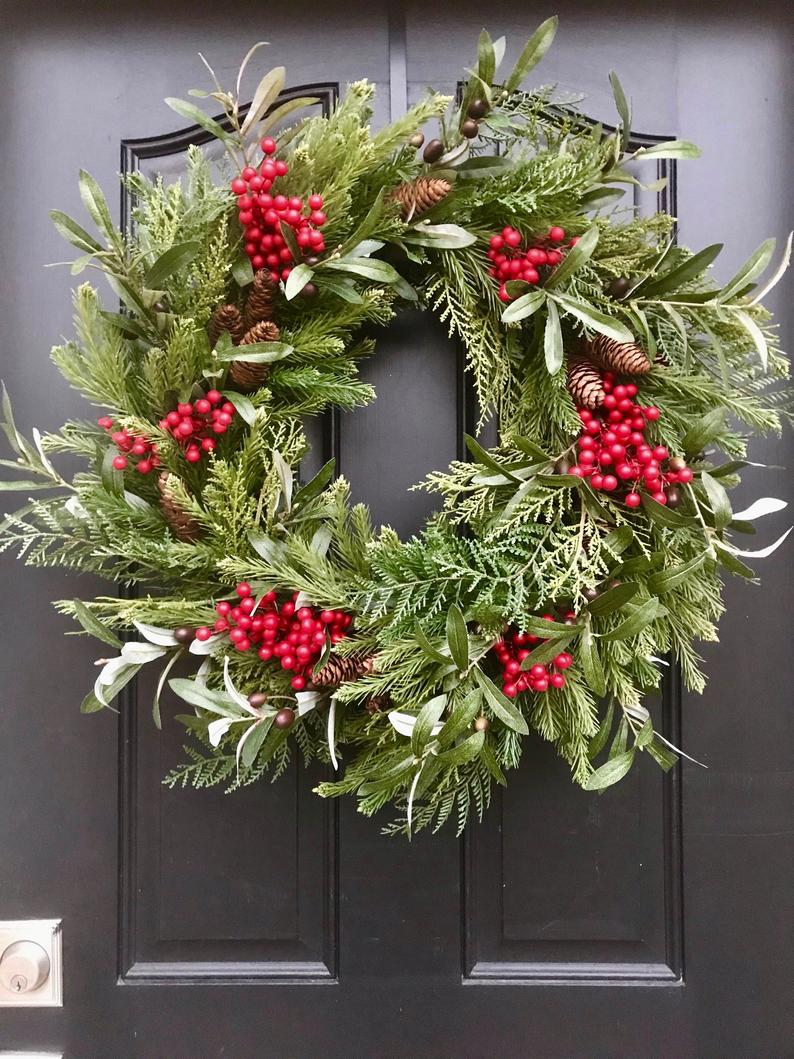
column 567, row 561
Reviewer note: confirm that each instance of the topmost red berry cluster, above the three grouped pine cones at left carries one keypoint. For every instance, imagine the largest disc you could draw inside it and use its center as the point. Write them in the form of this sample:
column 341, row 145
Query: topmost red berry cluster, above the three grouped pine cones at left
column 261, row 214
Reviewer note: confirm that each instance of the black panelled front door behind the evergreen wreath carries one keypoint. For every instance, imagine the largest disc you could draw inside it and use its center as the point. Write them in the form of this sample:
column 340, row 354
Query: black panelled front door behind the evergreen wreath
column 651, row 922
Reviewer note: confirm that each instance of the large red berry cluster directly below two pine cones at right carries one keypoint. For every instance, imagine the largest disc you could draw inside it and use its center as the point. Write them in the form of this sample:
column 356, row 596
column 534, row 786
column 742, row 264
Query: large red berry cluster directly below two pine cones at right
column 615, row 453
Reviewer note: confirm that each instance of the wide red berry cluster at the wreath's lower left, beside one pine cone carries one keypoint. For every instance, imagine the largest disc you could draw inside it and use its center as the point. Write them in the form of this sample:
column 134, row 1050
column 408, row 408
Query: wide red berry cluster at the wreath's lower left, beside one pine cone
column 295, row 636
